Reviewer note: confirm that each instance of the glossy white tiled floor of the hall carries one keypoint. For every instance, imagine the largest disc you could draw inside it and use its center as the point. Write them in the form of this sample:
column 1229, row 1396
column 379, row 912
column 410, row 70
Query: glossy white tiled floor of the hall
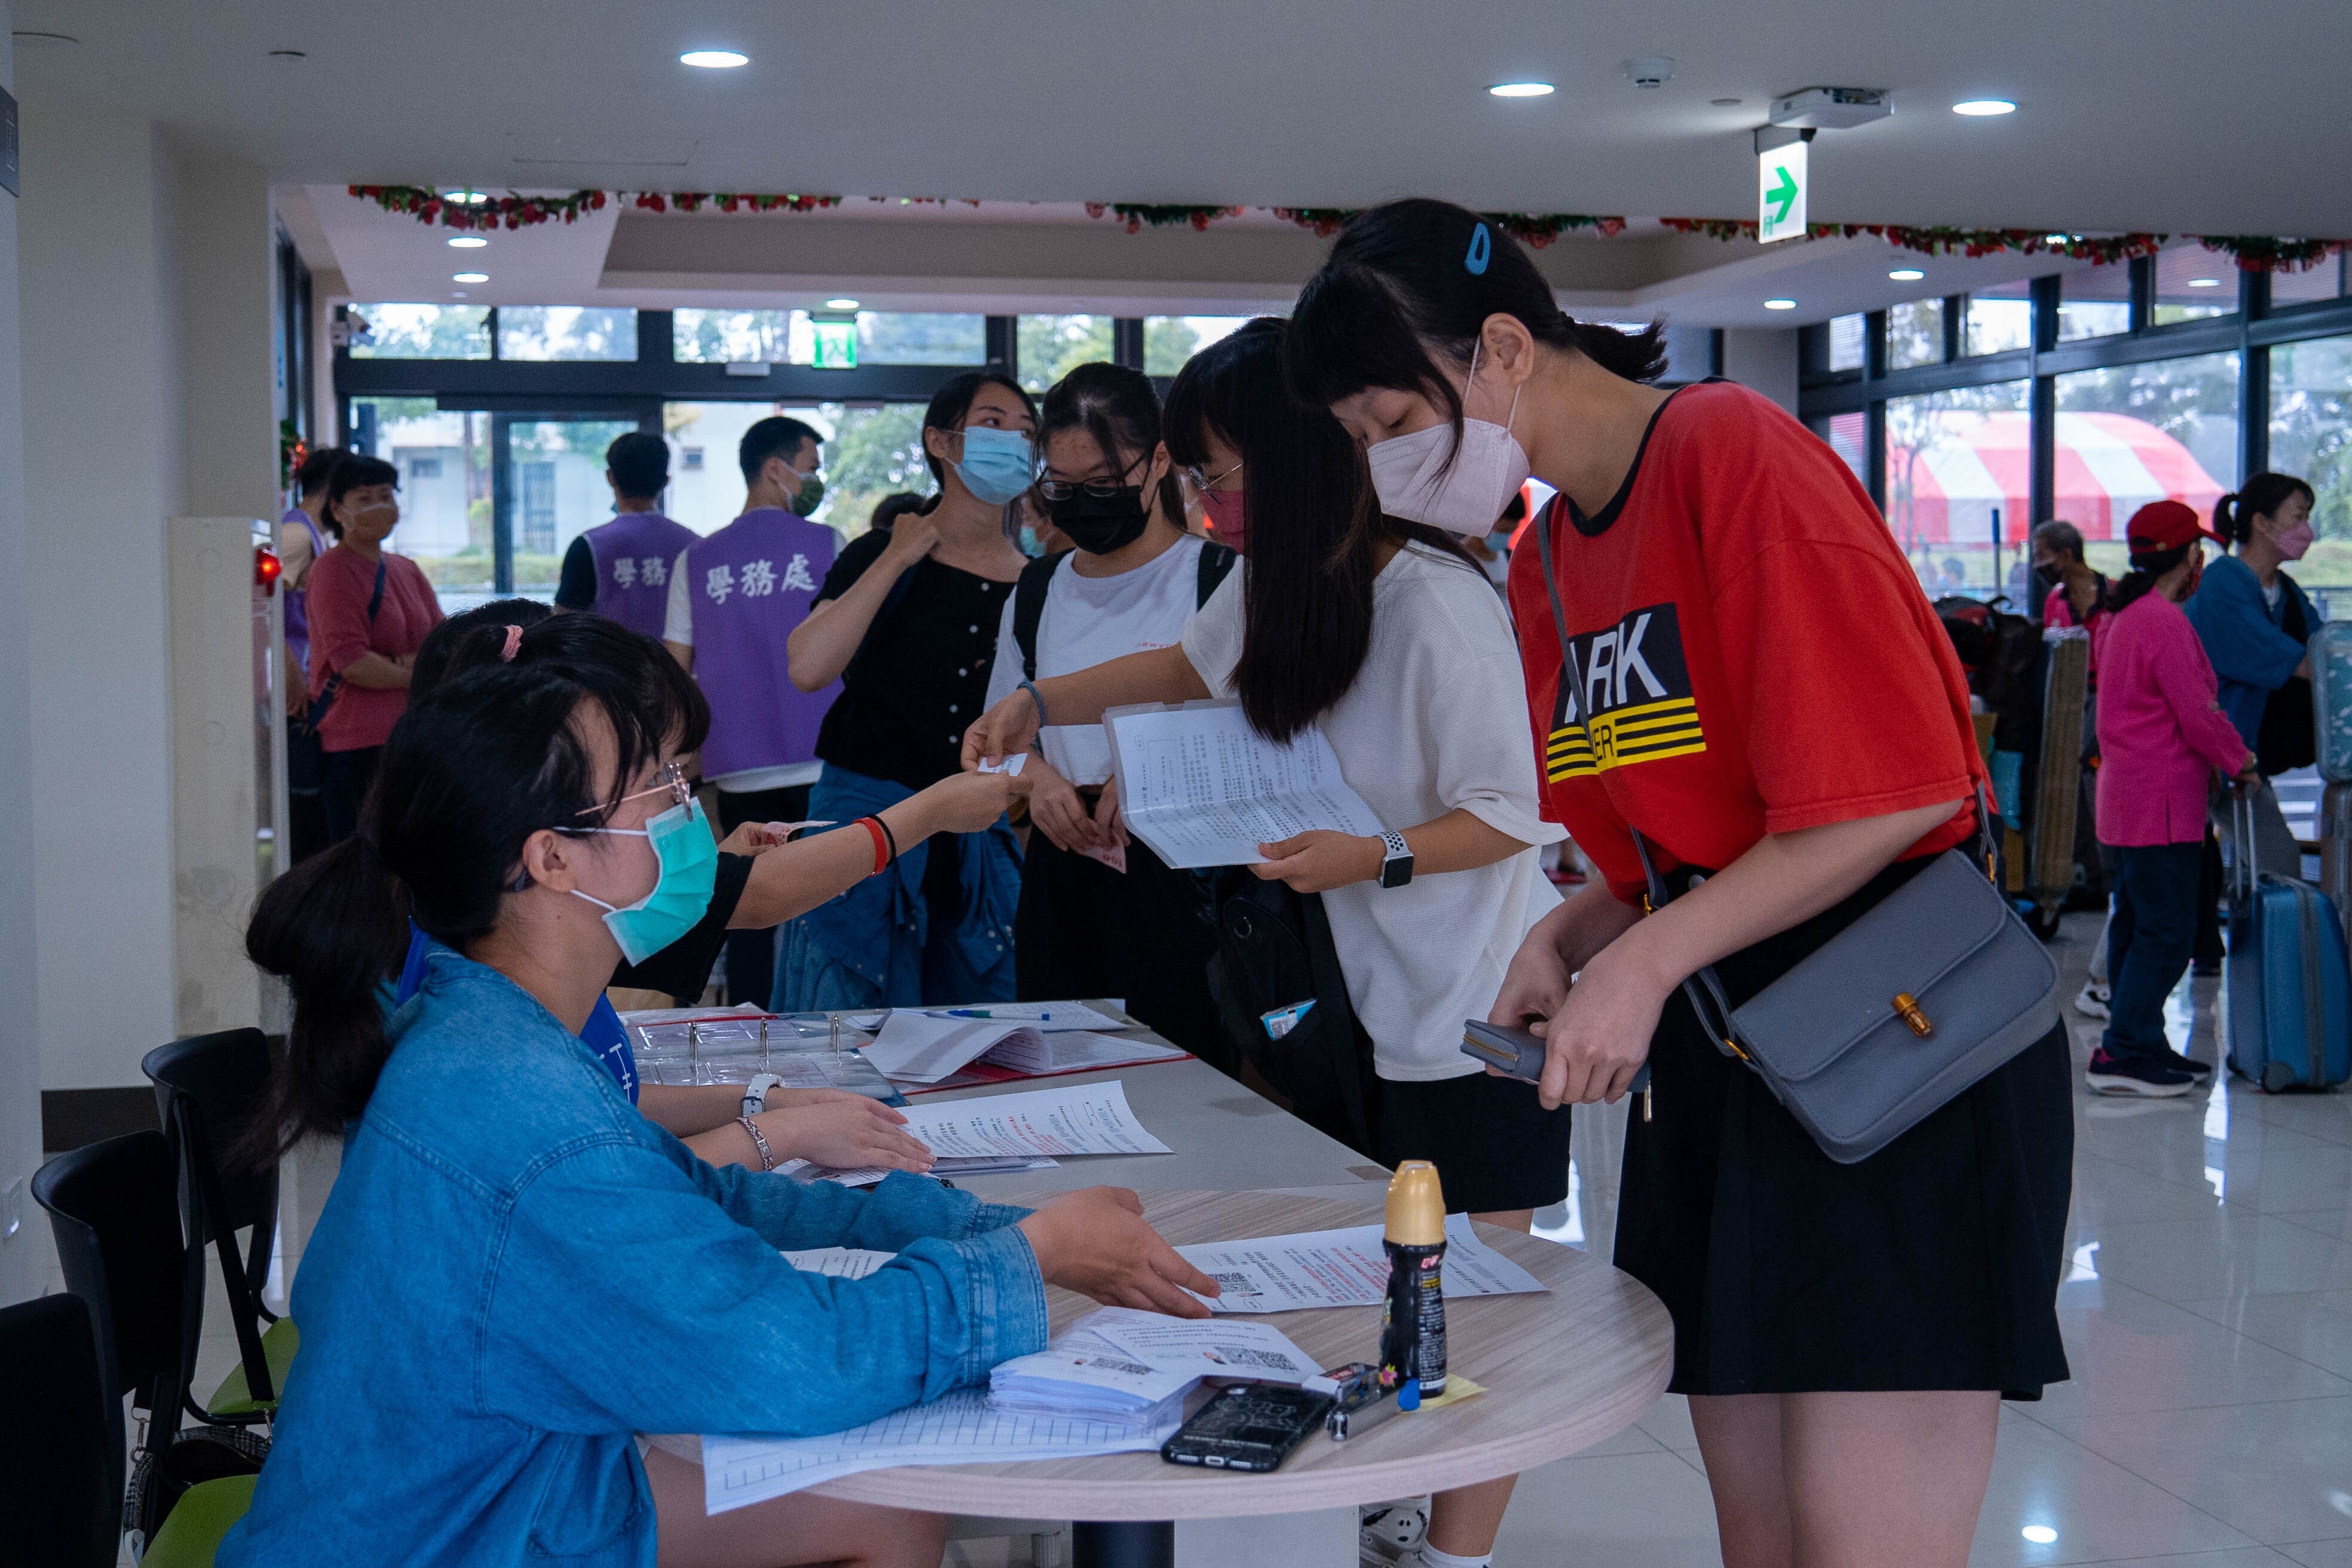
column 2207, row 1320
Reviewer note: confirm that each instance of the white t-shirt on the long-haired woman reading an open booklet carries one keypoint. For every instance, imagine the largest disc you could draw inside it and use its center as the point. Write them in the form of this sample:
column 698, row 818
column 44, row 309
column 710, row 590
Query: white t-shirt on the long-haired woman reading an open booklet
column 1436, row 721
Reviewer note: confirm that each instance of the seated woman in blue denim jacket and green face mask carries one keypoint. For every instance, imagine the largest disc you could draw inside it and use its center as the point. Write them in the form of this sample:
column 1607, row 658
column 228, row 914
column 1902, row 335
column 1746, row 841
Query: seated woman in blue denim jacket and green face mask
column 516, row 1271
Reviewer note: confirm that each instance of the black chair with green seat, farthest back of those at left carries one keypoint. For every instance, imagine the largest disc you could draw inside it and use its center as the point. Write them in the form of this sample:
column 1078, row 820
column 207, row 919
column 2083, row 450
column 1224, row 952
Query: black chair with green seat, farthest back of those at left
column 208, row 1090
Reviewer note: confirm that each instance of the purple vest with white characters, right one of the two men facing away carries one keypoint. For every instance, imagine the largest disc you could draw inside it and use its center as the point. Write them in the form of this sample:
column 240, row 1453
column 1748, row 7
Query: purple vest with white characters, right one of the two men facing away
column 751, row 584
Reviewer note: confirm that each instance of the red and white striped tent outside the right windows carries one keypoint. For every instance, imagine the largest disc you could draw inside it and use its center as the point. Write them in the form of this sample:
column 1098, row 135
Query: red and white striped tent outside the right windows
column 2109, row 469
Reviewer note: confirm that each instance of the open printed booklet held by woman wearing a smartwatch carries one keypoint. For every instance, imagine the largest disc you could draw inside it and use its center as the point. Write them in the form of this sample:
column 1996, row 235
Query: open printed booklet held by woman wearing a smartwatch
column 1203, row 789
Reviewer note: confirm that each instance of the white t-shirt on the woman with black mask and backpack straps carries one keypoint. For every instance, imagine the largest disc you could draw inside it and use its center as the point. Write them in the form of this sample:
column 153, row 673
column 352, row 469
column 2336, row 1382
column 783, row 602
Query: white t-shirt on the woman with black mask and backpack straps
column 1090, row 622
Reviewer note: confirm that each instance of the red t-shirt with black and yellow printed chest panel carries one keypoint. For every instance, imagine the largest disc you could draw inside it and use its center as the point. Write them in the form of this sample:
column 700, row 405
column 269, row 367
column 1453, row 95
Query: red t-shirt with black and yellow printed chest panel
column 1751, row 652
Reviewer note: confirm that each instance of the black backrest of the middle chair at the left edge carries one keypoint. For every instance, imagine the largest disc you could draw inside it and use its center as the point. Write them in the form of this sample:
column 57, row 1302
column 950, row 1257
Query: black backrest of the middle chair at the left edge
column 114, row 1209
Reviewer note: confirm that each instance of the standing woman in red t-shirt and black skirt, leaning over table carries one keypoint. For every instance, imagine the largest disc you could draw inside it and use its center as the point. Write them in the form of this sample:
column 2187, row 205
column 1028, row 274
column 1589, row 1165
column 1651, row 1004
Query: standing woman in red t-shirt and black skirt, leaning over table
column 1758, row 685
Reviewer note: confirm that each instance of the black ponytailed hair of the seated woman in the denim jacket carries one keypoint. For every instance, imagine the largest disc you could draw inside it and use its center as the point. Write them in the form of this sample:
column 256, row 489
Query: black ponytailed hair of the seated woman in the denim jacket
column 474, row 770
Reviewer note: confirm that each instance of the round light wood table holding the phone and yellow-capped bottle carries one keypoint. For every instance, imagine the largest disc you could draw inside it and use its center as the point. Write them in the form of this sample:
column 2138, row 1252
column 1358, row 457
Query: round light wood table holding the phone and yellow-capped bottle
column 1563, row 1372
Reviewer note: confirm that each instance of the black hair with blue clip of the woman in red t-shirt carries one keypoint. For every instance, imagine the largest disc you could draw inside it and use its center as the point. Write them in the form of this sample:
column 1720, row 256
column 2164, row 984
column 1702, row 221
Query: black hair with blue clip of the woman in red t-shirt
column 1417, row 279
